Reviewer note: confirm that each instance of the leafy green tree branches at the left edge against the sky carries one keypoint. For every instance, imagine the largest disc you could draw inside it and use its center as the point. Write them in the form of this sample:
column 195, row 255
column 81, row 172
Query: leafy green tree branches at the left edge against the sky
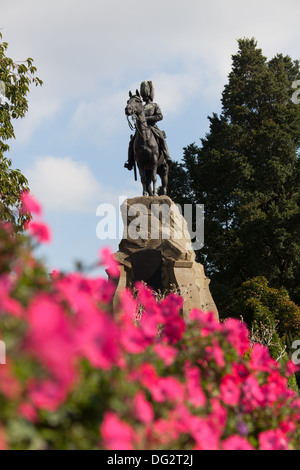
column 15, row 80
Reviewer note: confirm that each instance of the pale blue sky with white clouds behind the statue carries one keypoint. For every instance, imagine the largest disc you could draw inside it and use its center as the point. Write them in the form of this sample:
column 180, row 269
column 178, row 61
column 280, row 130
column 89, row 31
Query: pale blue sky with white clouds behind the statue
column 73, row 143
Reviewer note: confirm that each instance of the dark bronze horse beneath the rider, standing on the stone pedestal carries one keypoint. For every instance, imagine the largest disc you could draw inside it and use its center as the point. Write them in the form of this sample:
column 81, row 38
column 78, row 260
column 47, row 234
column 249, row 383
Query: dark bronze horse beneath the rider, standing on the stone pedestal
column 147, row 153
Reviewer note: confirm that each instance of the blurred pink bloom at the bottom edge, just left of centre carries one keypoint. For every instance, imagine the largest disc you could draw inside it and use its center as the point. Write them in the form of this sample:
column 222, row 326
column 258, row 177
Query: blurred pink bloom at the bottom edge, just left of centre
column 116, row 434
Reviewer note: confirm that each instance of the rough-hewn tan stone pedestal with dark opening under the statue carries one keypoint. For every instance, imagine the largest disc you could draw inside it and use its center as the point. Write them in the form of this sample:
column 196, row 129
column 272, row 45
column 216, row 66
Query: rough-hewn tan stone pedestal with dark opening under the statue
column 156, row 248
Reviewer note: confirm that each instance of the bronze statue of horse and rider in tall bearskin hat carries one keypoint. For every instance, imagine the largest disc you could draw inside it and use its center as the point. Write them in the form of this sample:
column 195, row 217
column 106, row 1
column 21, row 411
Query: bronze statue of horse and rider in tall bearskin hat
column 148, row 146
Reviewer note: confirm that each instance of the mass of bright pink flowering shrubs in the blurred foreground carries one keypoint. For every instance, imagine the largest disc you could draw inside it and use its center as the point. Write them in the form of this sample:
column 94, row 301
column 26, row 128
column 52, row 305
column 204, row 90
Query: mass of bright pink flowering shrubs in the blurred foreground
column 80, row 376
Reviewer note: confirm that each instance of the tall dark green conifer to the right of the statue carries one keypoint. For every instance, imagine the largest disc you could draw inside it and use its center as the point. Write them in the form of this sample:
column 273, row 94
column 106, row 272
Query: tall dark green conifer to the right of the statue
column 246, row 173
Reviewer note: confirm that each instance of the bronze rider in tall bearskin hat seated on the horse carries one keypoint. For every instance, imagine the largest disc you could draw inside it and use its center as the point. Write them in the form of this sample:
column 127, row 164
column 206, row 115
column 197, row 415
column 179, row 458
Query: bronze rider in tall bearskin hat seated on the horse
column 153, row 115
